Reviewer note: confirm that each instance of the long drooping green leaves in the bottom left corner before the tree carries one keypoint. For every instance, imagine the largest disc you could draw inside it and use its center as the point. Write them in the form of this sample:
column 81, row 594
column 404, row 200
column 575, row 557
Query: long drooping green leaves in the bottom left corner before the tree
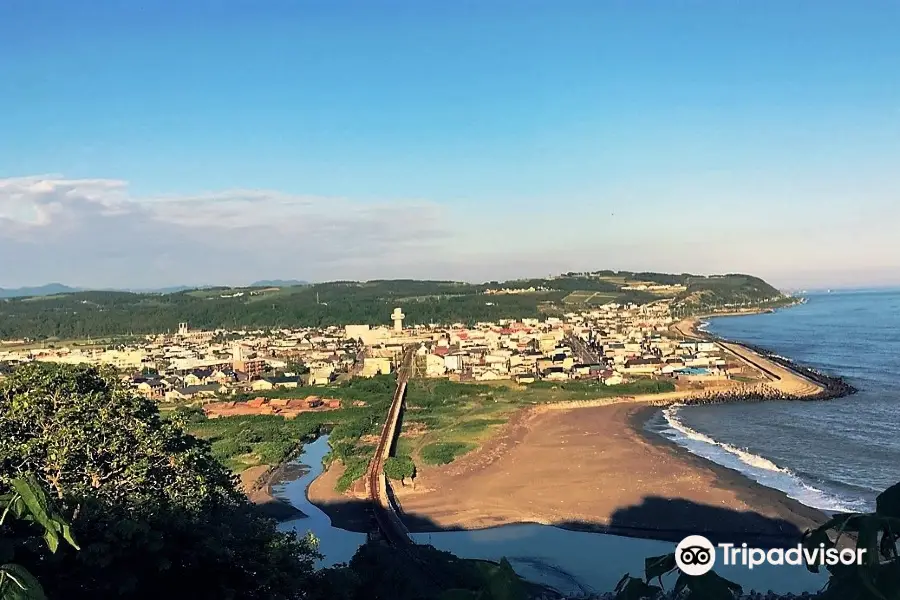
column 28, row 503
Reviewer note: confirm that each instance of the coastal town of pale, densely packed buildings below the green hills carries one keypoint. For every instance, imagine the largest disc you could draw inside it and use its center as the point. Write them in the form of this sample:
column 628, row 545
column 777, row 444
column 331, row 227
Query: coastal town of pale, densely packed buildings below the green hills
column 612, row 343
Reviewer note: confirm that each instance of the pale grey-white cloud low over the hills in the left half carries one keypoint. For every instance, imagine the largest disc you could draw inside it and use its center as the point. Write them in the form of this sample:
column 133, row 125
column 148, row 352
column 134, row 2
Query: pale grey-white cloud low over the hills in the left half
column 93, row 232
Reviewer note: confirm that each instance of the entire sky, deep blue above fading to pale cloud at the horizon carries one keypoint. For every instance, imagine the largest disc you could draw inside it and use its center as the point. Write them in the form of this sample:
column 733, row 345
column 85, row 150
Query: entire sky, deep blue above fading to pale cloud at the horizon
column 155, row 143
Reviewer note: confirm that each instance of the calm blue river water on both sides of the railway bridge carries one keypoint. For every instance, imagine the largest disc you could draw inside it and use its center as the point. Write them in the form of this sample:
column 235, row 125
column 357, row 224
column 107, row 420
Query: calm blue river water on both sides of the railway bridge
column 573, row 562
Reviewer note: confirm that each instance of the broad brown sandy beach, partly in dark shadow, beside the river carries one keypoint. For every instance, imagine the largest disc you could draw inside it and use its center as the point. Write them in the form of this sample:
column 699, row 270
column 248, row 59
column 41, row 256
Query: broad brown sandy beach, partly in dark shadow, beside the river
column 596, row 469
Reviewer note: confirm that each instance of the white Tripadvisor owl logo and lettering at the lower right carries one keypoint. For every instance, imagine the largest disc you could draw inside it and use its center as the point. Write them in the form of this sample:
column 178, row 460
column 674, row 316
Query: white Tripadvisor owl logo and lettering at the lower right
column 696, row 555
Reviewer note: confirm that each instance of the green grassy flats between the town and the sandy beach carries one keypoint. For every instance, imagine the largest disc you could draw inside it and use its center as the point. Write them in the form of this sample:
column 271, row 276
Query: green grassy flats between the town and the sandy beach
column 442, row 421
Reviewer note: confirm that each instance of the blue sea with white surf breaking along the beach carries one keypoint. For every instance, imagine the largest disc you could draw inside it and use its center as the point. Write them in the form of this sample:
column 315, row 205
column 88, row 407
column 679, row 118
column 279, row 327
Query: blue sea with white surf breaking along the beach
column 834, row 455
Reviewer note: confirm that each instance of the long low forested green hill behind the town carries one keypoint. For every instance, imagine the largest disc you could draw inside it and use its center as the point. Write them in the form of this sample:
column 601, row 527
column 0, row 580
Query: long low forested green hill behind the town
column 101, row 313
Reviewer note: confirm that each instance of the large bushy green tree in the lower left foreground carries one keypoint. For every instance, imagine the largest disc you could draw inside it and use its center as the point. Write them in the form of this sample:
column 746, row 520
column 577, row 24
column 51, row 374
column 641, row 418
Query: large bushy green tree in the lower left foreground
column 155, row 514
